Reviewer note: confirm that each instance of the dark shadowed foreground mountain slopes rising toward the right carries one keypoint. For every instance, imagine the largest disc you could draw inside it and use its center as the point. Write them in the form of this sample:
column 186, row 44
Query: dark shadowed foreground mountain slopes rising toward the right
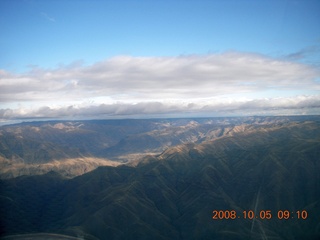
column 269, row 169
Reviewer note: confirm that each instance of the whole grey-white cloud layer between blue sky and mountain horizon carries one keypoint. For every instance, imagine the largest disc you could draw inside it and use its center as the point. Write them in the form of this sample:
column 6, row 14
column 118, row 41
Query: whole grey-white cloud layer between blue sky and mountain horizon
column 126, row 85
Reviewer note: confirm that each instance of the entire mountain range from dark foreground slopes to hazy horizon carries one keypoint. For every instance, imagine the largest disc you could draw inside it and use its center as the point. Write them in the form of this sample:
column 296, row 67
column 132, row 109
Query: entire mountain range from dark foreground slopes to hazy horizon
column 184, row 174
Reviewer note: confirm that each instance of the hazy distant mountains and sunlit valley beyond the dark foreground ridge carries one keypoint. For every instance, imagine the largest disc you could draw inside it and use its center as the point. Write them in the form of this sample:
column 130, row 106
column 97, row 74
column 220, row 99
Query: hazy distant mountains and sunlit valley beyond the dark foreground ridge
column 75, row 147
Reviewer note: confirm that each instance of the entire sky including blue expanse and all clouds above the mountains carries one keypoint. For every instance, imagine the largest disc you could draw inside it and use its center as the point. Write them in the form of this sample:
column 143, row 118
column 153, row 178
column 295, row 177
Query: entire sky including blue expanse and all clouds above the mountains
column 81, row 59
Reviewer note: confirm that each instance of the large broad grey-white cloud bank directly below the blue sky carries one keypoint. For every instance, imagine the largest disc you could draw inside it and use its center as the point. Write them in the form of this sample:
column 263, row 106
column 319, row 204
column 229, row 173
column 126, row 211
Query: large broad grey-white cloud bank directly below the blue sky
column 154, row 77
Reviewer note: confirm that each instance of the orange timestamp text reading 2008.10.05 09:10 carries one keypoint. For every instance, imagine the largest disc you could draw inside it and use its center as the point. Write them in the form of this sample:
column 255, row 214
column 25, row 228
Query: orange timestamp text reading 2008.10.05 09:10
column 262, row 214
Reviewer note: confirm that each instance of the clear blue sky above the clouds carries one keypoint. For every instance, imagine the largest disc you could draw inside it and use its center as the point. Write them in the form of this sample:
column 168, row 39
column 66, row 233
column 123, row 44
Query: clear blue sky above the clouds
column 48, row 33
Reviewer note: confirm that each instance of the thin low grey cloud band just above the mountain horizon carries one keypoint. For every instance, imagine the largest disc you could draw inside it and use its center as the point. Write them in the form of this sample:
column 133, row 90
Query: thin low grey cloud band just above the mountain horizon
column 213, row 107
